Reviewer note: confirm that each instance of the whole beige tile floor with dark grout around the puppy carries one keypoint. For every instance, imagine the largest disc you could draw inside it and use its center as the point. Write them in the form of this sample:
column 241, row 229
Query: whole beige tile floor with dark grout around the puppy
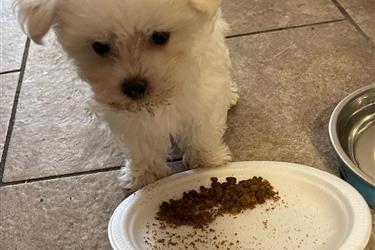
column 293, row 61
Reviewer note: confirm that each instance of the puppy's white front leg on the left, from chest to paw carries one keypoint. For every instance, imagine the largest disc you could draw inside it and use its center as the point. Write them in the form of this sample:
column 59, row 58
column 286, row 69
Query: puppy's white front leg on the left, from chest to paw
column 146, row 148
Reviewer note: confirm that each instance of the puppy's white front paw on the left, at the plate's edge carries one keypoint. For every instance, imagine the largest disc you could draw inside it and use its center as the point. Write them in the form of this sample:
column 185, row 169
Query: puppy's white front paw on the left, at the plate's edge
column 133, row 178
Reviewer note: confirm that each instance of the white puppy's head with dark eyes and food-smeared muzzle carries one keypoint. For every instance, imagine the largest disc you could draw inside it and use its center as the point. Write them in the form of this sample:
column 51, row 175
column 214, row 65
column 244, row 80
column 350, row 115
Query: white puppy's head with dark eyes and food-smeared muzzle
column 133, row 53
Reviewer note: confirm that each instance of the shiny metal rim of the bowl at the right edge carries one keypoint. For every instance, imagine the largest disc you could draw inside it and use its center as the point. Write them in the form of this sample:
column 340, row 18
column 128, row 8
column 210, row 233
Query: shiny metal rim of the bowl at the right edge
column 335, row 140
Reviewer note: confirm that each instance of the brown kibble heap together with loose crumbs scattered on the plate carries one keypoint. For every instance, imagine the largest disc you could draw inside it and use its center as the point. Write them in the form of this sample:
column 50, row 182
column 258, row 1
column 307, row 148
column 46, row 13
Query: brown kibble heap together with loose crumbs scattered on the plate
column 198, row 208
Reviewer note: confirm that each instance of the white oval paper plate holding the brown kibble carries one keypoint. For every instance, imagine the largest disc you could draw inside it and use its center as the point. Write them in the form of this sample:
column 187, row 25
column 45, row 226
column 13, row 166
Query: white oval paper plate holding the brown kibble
column 316, row 211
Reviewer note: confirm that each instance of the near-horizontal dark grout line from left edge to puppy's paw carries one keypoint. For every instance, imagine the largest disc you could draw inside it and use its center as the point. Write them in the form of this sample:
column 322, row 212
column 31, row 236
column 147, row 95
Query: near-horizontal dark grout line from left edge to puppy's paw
column 54, row 177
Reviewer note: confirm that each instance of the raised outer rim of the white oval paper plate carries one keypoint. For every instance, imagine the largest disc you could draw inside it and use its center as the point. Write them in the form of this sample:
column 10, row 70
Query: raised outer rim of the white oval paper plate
column 358, row 236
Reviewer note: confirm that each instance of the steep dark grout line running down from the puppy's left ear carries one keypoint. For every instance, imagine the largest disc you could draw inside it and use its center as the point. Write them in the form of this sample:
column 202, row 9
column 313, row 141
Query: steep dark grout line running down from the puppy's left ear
column 14, row 110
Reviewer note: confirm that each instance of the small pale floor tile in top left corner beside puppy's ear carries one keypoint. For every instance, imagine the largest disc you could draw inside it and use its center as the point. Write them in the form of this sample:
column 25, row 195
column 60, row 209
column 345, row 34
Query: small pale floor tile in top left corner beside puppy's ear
column 12, row 39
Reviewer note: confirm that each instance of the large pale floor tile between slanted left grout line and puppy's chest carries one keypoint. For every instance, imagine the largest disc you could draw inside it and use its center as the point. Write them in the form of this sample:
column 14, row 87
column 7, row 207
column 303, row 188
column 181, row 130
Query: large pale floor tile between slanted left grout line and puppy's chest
column 52, row 133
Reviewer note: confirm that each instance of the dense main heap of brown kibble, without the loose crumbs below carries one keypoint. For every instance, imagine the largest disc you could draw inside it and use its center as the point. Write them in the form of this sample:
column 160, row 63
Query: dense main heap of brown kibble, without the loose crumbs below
column 199, row 208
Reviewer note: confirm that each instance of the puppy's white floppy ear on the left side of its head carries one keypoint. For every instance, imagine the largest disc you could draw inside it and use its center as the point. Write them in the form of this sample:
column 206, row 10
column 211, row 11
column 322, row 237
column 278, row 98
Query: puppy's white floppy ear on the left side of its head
column 36, row 16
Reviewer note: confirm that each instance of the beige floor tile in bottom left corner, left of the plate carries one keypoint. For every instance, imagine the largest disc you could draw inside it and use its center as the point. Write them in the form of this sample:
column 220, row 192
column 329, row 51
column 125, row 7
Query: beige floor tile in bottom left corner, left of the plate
column 70, row 213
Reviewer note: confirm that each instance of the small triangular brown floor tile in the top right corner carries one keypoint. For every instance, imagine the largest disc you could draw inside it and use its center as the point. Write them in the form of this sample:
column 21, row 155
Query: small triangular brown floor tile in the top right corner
column 363, row 13
